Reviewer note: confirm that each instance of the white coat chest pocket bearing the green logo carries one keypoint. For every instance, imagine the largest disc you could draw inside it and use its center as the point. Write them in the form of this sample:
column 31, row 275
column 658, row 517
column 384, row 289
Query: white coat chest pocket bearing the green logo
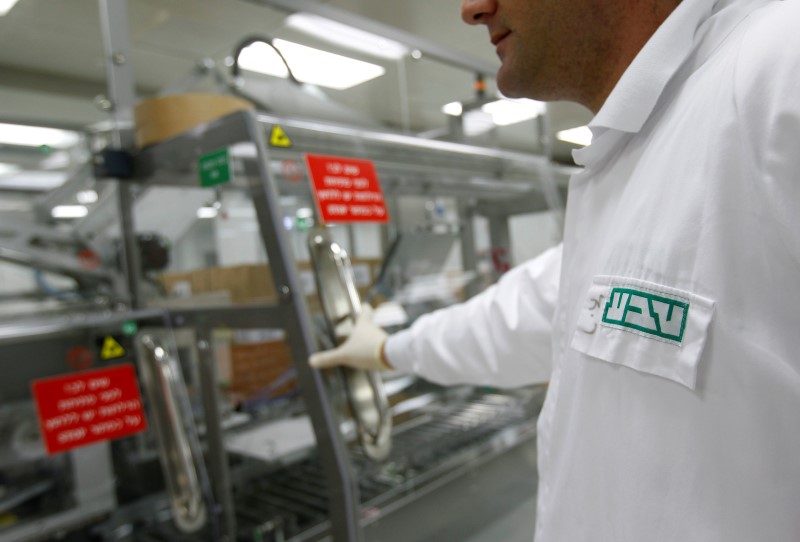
column 645, row 326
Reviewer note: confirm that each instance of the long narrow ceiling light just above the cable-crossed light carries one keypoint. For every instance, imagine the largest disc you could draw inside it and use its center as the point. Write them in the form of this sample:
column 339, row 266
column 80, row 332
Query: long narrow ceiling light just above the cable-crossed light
column 346, row 36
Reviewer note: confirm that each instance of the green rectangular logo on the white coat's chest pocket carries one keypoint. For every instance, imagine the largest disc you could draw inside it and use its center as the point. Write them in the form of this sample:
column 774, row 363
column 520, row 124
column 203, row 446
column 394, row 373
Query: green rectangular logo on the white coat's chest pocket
column 651, row 314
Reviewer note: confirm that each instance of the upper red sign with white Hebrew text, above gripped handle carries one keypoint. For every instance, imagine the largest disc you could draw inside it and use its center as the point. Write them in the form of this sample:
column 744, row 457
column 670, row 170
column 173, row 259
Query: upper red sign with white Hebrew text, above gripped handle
column 346, row 189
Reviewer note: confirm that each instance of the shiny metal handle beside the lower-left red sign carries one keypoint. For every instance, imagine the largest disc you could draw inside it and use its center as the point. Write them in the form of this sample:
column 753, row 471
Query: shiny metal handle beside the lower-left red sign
column 168, row 397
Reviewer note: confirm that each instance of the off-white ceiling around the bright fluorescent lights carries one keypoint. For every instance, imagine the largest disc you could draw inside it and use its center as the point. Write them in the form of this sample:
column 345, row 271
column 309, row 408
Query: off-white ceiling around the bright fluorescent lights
column 52, row 61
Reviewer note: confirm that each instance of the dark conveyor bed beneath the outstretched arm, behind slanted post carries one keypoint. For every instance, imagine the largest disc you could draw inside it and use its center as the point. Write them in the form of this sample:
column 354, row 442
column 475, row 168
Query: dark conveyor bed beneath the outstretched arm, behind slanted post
column 293, row 501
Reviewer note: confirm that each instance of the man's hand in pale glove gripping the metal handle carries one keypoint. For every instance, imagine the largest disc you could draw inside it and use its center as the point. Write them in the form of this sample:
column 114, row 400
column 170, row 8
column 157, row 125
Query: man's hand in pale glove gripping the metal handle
column 363, row 349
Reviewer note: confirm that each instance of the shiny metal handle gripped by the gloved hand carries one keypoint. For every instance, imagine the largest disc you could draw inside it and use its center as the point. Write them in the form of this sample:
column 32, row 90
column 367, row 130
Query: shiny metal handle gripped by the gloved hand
column 341, row 306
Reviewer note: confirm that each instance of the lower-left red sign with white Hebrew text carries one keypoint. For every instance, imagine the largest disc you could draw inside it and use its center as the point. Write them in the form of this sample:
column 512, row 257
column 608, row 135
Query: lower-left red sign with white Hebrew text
column 89, row 407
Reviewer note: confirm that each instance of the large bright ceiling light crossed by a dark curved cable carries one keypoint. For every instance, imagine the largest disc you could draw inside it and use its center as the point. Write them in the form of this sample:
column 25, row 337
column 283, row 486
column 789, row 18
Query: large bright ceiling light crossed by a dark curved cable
column 309, row 65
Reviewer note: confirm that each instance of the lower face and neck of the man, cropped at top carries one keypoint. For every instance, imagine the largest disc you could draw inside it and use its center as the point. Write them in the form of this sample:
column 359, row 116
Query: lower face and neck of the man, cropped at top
column 546, row 46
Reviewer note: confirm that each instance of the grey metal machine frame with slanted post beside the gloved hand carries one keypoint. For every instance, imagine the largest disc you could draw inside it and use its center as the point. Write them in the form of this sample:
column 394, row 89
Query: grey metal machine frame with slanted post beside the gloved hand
column 174, row 163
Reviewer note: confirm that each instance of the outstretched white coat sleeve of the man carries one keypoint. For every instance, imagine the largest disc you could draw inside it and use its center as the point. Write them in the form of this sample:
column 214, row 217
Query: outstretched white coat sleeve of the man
column 501, row 337
